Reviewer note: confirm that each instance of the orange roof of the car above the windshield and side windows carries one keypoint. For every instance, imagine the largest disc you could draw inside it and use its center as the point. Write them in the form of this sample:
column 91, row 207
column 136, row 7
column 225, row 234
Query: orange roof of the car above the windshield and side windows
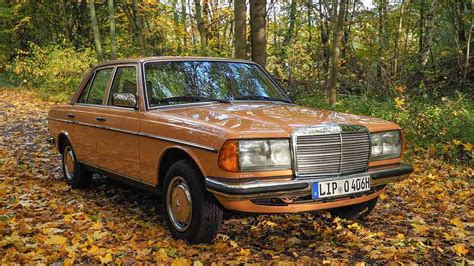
column 172, row 58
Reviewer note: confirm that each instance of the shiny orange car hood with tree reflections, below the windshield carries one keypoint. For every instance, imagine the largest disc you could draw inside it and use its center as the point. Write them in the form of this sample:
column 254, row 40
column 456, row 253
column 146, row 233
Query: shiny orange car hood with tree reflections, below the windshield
column 254, row 119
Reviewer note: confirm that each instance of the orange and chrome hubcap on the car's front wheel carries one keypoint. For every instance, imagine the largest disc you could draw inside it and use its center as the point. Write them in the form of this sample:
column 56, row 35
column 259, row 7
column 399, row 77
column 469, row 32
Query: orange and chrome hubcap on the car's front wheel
column 179, row 204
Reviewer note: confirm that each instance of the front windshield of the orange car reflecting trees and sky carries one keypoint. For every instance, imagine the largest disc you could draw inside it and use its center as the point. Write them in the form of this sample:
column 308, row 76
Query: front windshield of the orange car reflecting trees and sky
column 195, row 81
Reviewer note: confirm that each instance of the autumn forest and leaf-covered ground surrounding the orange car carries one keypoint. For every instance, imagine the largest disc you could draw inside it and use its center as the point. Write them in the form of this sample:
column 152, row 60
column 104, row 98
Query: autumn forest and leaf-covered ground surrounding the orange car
column 406, row 61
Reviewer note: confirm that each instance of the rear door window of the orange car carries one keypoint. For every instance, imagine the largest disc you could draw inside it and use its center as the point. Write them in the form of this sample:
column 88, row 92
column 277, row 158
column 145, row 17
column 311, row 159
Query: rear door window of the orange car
column 95, row 89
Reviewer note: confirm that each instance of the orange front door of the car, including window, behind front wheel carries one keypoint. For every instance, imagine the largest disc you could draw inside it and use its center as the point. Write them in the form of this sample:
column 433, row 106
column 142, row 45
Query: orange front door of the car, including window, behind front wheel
column 118, row 135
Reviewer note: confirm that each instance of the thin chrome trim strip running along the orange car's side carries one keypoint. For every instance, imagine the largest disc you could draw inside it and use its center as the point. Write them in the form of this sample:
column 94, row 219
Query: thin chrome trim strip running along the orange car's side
column 190, row 144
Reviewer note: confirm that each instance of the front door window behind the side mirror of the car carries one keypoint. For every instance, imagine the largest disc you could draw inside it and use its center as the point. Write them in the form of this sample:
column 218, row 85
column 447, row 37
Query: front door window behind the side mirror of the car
column 125, row 81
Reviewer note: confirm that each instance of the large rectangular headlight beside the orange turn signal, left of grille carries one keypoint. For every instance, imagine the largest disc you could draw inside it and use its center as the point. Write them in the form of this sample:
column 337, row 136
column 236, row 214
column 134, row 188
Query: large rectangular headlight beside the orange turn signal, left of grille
column 258, row 155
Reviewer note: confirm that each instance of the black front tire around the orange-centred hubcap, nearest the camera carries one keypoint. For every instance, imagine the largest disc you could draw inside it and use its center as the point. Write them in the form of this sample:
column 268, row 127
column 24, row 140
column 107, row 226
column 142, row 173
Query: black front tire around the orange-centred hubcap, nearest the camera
column 205, row 215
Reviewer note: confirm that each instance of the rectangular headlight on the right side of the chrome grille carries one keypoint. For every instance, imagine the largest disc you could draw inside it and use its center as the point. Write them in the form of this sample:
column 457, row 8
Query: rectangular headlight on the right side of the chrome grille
column 385, row 145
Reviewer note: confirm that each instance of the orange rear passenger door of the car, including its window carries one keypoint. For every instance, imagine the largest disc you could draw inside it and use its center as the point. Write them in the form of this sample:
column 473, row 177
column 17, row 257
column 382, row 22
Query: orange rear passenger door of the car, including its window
column 83, row 131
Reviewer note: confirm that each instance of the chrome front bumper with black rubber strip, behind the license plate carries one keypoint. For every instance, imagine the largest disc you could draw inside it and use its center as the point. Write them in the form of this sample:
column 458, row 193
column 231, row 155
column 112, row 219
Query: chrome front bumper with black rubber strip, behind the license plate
column 261, row 189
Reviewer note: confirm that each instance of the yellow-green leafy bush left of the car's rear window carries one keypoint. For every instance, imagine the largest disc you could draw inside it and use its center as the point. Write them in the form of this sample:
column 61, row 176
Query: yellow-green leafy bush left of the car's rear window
column 56, row 71
